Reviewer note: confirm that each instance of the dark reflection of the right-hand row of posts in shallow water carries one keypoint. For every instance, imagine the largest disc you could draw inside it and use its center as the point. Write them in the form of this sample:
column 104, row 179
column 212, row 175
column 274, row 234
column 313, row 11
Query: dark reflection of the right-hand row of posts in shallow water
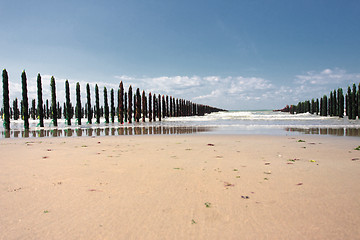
column 351, row 132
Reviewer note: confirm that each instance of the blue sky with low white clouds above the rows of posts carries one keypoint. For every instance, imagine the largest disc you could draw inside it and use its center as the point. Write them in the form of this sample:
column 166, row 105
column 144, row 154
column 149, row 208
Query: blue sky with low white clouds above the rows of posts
column 232, row 54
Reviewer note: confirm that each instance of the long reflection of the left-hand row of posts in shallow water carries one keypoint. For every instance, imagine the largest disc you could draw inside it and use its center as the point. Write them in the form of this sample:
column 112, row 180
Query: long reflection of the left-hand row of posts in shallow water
column 108, row 131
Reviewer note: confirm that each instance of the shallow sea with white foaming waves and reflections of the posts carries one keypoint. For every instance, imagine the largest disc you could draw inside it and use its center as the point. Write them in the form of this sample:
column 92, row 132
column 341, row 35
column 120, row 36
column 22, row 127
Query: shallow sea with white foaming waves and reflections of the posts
column 259, row 122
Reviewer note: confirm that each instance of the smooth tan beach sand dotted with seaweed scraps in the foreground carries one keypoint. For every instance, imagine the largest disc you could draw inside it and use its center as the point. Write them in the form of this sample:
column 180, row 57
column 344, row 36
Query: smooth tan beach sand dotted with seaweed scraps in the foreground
column 180, row 187
